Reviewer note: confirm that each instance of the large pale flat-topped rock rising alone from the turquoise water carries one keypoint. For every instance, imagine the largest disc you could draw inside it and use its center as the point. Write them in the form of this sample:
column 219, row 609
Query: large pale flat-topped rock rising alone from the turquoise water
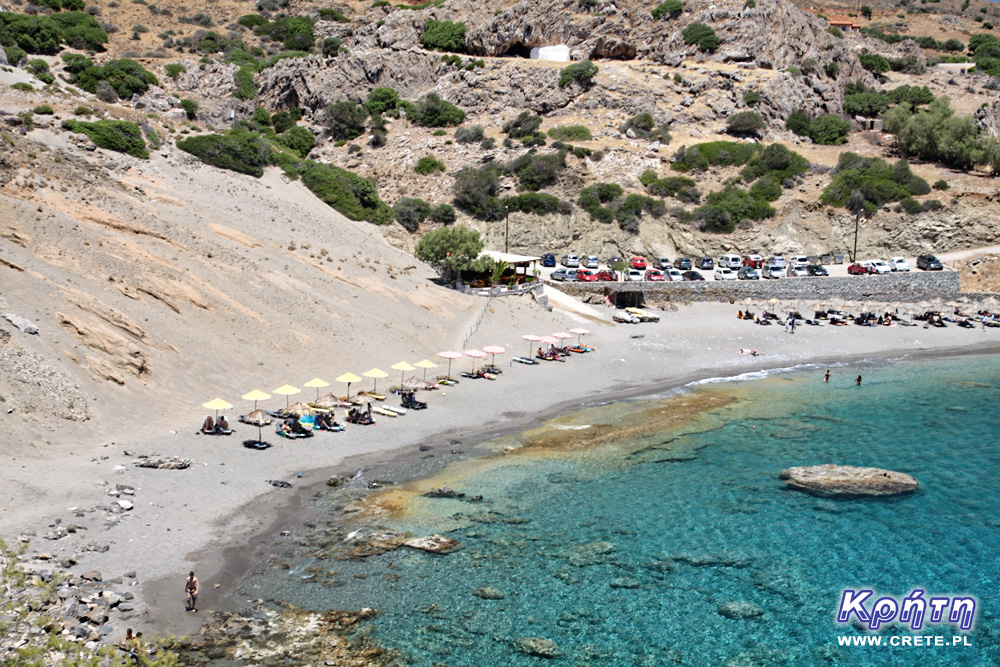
column 837, row 480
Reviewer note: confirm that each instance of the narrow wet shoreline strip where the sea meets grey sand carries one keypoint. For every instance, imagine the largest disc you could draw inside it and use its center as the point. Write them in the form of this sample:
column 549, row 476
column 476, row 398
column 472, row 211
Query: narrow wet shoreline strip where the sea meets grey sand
column 231, row 564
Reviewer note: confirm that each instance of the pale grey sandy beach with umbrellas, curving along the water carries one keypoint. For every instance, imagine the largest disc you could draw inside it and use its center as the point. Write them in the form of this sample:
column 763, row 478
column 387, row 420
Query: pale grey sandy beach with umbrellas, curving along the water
column 210, row 516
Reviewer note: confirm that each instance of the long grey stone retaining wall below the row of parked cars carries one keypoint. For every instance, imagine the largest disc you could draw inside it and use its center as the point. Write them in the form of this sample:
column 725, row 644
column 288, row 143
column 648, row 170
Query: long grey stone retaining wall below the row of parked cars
column 904, row 287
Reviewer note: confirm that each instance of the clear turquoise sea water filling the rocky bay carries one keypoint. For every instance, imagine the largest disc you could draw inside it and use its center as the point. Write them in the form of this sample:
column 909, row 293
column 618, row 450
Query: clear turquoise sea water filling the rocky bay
column 623, row 555
